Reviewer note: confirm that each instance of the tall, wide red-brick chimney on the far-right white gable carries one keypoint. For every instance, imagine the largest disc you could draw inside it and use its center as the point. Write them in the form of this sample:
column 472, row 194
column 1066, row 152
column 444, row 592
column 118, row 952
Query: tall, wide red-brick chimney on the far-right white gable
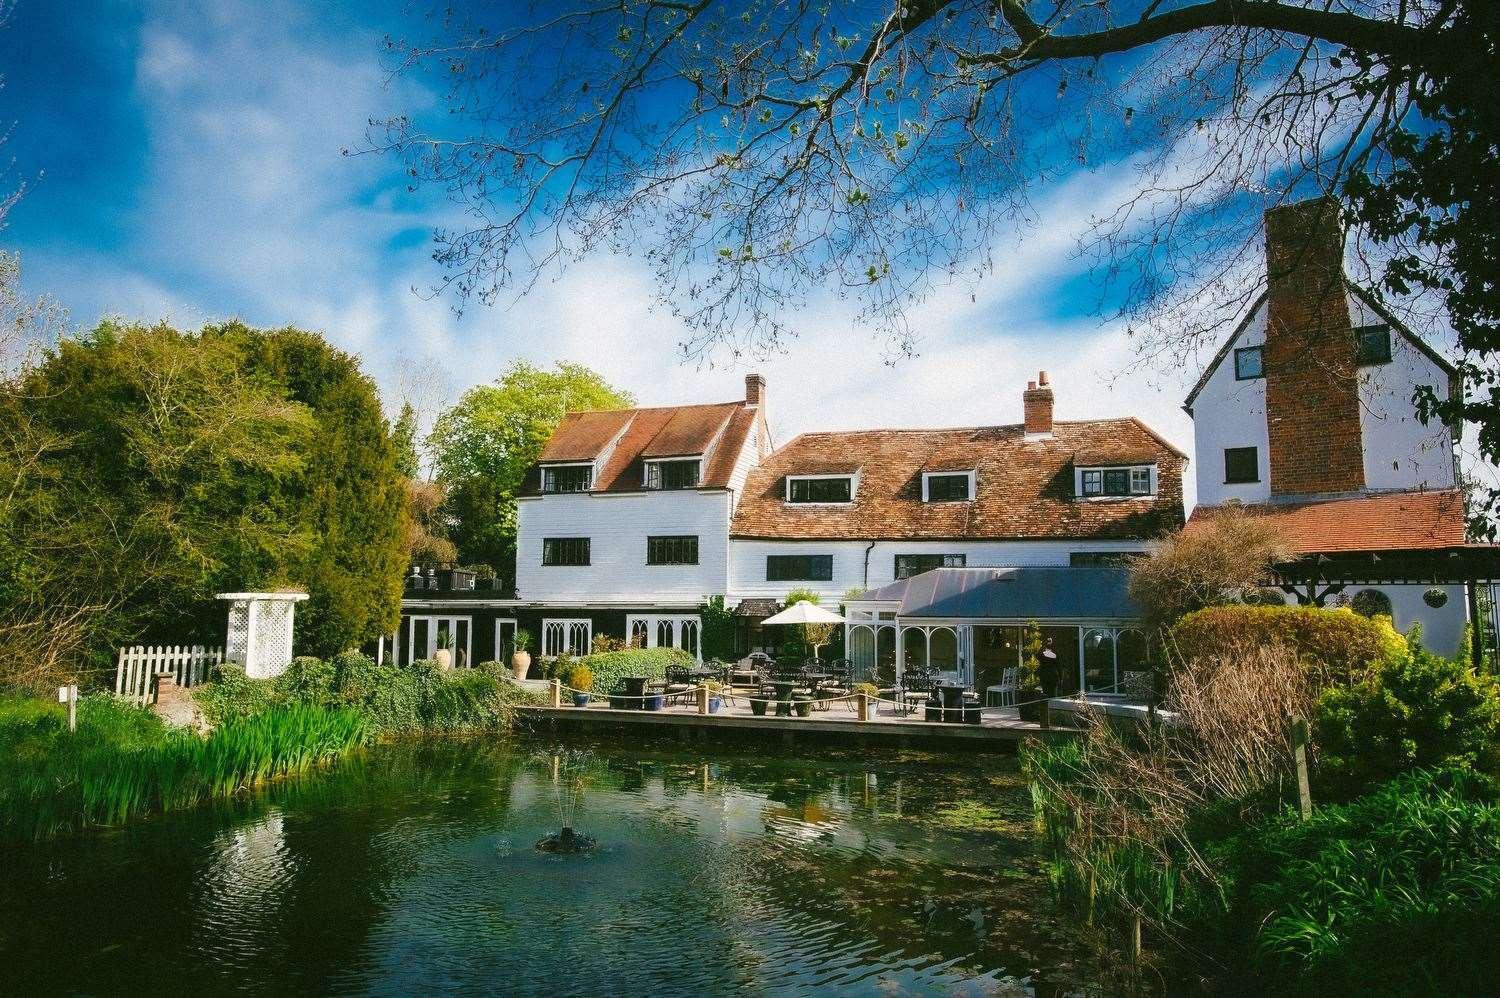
column 1310, row 362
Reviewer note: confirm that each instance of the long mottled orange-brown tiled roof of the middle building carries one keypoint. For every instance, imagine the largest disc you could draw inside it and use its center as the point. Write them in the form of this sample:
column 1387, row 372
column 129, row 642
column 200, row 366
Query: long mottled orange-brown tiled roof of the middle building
column 1025, row 487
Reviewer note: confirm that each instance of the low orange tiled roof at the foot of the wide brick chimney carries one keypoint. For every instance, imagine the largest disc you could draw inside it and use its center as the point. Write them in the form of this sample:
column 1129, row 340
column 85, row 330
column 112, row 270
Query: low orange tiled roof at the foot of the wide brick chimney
column 1396, row 522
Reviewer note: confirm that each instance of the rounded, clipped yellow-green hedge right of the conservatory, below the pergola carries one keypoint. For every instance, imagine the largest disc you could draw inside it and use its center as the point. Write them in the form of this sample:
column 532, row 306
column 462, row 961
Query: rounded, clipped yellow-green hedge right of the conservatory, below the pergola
column 1339, row 645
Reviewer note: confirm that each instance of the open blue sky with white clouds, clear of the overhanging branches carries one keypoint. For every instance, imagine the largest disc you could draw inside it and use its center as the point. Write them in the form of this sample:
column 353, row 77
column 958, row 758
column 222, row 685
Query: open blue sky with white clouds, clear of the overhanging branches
column 187, row 164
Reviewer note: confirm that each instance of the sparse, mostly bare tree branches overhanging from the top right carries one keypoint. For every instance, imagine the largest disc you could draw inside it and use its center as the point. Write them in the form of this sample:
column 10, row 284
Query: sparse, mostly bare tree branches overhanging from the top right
column 761, row 152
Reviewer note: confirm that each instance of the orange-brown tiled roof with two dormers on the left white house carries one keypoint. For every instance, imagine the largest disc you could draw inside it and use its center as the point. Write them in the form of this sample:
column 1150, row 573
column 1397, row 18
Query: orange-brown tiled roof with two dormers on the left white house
column 718, row 431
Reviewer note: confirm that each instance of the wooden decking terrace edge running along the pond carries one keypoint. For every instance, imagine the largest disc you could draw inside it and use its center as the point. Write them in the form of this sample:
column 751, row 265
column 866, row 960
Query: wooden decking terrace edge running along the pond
column 998, row 729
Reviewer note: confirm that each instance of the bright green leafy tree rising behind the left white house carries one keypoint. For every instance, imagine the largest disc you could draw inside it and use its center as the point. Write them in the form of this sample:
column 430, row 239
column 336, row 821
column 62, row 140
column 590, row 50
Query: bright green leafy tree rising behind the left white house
column 487, row 443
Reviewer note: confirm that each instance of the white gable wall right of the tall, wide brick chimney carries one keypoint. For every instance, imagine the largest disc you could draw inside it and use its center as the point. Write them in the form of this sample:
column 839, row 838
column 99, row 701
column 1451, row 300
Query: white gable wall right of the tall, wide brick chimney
column 1400, row 452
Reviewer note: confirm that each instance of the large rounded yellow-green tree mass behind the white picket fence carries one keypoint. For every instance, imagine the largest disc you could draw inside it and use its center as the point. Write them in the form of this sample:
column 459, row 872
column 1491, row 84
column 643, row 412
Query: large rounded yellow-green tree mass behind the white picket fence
column 238, row 460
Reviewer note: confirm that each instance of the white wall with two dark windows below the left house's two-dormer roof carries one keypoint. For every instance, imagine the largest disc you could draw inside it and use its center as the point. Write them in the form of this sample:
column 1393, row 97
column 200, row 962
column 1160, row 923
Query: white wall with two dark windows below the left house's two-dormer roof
column 617, row 528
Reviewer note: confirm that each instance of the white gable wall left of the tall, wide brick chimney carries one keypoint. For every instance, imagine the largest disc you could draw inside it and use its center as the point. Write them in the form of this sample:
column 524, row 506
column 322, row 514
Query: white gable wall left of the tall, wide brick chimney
column 1231, row 413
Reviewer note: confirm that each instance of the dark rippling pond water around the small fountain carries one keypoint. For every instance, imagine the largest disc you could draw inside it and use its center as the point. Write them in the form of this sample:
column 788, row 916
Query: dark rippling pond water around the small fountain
column 413, row 868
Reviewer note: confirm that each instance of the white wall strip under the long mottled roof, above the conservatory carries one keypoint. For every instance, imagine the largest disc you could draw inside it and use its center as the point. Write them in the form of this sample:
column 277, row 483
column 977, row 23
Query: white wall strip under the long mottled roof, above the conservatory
column 748, row 561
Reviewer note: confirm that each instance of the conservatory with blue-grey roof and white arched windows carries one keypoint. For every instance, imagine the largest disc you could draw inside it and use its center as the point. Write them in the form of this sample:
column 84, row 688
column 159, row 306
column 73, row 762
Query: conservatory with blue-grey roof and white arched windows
column 971, row 622
